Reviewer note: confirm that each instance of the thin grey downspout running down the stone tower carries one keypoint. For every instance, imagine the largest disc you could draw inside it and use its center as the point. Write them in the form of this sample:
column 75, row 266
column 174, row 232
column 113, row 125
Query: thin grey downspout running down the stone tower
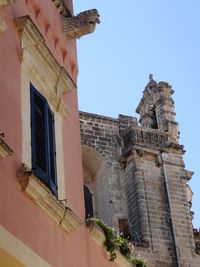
column 170, row 210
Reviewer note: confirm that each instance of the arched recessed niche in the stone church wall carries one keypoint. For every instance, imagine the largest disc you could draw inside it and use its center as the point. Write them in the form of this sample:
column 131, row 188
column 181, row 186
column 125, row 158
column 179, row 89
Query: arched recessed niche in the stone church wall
column 96, row 187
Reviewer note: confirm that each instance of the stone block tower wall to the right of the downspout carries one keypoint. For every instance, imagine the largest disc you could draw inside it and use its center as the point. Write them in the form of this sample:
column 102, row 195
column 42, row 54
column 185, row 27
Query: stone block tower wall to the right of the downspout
column 180, row 209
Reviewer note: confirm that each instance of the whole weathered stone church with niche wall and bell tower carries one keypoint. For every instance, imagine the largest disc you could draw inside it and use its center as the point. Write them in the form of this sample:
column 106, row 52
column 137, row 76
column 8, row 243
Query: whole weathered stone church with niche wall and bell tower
column 135, row 178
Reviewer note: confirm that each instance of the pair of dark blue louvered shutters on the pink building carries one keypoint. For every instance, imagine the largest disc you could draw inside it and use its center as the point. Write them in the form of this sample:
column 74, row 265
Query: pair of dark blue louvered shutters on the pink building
column 43, row 140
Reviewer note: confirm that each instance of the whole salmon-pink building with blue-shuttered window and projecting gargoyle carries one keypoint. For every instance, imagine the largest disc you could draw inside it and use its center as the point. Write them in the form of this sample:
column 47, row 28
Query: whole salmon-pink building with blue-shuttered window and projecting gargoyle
column 42, row 216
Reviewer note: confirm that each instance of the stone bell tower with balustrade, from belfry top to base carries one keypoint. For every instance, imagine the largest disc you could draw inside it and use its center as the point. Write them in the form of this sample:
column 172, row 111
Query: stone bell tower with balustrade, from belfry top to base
column 156, row 182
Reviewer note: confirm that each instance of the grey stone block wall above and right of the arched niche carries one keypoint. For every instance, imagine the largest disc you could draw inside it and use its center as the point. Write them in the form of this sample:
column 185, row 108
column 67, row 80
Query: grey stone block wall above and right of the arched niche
column 103, row 135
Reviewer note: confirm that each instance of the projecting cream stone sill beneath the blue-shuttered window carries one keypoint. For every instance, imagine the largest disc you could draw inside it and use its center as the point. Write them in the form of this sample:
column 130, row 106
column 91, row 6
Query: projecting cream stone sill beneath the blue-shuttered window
column 42, row 197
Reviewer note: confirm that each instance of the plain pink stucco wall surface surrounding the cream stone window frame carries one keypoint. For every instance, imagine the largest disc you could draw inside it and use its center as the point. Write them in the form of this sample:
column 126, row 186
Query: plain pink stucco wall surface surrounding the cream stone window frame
column 18, row 214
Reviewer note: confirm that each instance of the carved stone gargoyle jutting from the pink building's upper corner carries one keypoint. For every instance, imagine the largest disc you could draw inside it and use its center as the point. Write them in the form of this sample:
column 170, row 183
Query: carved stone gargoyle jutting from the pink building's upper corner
column 82, row 24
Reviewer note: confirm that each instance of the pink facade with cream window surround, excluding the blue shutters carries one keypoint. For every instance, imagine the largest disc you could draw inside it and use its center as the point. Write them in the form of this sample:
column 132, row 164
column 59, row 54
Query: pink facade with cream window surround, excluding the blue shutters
column 31, row 237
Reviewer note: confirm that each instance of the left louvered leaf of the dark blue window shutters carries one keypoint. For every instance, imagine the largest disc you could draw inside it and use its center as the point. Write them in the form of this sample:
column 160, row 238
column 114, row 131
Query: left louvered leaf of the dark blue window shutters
column 39, row 136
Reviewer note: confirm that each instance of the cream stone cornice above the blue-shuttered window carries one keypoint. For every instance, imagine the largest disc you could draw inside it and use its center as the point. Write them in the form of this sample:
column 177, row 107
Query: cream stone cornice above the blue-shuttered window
column 38, row 59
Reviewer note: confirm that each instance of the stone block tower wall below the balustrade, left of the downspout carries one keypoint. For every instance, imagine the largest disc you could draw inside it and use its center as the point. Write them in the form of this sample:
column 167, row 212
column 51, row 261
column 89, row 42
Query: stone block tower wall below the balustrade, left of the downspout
column 148, row 209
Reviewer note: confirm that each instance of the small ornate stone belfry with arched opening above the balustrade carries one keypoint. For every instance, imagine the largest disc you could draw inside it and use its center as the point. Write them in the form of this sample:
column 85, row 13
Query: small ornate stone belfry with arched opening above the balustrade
column 156, row 108
